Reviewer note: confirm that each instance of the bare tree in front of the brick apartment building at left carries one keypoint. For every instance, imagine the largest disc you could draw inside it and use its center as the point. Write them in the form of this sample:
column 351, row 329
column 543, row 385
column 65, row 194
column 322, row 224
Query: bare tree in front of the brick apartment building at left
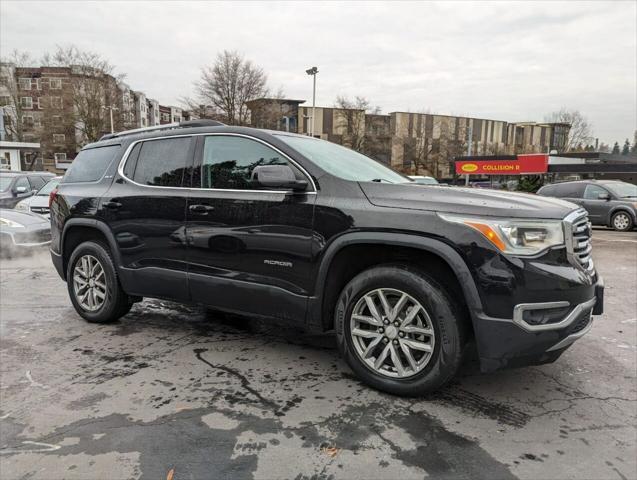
column 93, row 87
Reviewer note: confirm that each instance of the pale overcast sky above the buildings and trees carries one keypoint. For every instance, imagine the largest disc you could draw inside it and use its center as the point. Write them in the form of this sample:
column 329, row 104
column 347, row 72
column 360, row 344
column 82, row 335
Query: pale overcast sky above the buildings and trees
column 508, row 61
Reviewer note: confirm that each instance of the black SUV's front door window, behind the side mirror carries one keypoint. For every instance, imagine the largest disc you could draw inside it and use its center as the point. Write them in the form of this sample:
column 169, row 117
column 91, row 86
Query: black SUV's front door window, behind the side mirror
column 228, row 162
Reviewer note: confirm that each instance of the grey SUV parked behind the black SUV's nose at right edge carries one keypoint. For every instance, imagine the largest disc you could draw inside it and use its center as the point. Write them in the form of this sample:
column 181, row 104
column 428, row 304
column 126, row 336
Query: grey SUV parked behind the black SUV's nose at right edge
column 609, row 203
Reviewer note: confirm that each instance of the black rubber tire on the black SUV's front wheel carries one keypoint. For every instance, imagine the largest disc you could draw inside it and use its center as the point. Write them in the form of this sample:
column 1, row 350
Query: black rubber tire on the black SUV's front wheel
column 440, row 315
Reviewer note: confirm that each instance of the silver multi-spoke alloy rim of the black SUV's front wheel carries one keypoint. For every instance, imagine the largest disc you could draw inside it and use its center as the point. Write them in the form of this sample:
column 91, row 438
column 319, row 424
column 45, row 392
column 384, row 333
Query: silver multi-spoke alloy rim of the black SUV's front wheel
column 392, row 333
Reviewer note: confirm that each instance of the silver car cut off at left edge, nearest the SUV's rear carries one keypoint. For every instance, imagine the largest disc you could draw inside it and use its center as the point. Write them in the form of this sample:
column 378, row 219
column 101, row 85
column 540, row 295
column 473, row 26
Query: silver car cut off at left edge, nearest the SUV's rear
column 22, row 231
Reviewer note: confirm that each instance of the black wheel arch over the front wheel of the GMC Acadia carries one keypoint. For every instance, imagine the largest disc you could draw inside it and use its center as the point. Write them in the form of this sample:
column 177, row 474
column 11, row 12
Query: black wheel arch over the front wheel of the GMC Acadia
column 329, row 283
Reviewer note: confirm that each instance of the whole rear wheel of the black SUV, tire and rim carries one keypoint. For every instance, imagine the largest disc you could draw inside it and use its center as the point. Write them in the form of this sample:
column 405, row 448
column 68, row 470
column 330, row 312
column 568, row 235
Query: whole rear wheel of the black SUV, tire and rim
column 115, row 303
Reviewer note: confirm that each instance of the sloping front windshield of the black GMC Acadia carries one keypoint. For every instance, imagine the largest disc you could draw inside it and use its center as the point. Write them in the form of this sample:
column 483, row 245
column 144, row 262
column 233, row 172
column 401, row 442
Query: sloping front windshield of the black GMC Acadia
column 343, row 162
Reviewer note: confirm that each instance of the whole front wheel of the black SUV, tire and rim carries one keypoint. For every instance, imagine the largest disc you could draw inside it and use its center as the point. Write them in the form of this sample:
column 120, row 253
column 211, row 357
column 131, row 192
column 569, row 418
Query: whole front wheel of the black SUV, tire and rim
column 399, row 331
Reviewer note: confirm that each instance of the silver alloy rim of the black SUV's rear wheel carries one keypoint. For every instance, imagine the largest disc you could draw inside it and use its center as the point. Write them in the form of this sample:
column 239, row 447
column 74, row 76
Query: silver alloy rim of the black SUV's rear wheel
column 89, row 283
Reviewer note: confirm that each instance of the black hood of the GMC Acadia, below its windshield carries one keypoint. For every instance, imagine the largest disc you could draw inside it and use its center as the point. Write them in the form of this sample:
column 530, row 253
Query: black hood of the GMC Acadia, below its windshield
column 470, row 201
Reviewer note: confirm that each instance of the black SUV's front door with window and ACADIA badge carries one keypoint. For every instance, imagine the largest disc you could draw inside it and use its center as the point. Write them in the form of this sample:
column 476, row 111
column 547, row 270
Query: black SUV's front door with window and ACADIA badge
column 249, row 249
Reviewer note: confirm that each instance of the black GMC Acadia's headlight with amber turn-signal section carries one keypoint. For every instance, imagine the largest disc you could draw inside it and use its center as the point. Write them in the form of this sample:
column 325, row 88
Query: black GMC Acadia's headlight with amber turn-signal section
column 516, row 236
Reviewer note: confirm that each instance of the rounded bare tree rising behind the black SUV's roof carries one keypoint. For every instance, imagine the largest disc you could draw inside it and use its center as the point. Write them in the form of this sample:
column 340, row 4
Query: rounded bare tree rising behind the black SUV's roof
column 228, row 84
